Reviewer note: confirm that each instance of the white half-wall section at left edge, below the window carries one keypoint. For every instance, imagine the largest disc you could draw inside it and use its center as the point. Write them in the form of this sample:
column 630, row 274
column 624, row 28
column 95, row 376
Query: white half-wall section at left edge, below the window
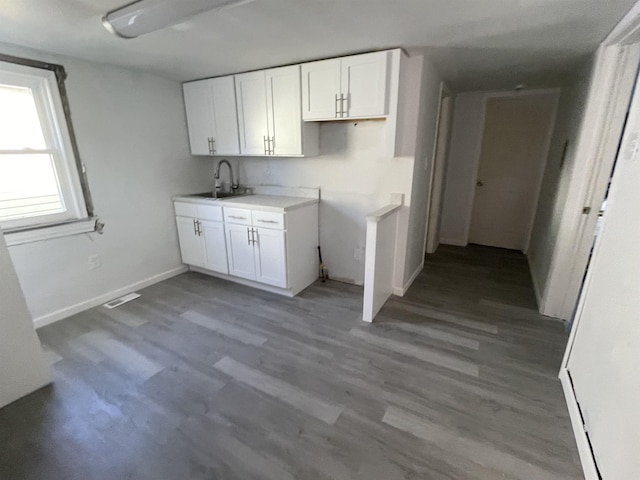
column 23, row 367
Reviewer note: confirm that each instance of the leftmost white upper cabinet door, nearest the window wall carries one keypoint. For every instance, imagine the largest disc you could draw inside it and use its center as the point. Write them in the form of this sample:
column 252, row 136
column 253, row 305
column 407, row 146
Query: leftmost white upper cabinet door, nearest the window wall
column 199, row 109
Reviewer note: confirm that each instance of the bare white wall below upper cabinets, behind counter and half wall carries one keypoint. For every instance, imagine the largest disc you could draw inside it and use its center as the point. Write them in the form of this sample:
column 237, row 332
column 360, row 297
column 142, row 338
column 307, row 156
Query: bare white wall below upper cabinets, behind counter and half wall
column 355, row 179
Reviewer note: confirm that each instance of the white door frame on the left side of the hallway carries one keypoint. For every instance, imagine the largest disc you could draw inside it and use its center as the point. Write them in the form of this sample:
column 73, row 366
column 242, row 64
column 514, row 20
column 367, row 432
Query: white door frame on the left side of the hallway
column 445, row 92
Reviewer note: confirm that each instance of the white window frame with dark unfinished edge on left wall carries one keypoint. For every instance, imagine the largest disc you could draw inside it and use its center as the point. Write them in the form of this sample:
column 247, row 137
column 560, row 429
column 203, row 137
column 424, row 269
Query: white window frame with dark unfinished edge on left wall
column 47, row 84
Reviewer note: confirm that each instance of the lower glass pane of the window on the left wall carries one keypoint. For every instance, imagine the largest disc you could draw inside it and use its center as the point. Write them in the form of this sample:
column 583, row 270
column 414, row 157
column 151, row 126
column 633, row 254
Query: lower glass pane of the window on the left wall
column 28, row 186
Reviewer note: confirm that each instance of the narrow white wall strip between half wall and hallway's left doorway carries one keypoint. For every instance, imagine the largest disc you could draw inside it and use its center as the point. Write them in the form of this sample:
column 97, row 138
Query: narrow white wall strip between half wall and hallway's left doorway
column 424, row 154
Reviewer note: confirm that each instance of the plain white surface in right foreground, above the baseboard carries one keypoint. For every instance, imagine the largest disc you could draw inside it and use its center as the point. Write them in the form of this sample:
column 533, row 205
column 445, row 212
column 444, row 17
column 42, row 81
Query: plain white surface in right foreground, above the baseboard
column 604, row 359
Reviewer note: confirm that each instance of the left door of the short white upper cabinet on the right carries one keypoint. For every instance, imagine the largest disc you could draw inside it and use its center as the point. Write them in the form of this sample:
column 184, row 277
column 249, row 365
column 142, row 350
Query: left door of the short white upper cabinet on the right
column 320, row 88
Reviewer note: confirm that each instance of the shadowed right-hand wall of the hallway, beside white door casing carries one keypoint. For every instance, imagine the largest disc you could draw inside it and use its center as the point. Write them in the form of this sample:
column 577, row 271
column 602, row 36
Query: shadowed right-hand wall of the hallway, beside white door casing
column 557, row 177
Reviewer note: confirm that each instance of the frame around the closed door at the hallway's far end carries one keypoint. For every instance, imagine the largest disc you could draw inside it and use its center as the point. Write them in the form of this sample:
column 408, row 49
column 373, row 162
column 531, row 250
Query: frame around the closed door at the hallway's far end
column 543, row 164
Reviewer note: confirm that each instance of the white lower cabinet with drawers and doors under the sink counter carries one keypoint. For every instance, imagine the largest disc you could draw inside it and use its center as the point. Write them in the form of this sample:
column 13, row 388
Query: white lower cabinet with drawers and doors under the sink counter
column 265, row 248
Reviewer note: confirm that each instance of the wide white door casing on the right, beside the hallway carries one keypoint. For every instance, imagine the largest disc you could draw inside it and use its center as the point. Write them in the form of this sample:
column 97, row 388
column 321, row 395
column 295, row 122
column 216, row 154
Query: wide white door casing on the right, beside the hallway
column 613, row 78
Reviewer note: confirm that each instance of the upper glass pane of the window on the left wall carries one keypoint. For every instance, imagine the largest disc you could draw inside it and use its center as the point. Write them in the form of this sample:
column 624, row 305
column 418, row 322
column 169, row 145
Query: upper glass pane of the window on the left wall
column 19, row 122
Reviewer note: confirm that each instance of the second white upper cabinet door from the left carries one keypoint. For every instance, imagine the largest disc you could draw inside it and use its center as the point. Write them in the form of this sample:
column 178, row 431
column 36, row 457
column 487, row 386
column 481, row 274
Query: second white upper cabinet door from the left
column 225, row 116
